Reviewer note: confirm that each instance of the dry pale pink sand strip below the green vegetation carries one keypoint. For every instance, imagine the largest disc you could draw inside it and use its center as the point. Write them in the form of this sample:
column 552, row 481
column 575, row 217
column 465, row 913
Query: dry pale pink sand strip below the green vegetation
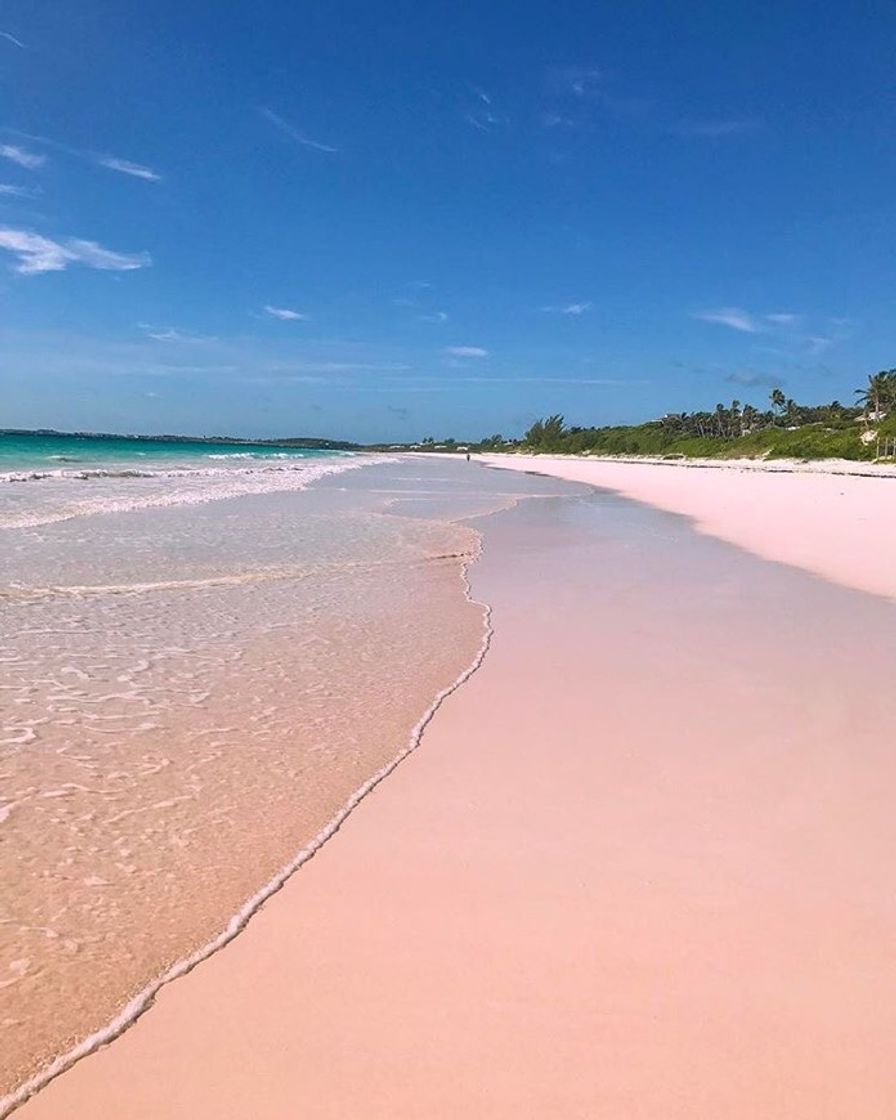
column 835, row 519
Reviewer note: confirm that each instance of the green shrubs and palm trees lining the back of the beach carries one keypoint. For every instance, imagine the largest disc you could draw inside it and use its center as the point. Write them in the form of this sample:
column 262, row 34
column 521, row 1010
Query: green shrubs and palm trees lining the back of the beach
column 786, row 430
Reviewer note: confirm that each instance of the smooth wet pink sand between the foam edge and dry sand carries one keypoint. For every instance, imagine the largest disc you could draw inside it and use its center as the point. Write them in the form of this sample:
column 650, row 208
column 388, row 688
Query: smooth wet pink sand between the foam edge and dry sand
column 639, row 869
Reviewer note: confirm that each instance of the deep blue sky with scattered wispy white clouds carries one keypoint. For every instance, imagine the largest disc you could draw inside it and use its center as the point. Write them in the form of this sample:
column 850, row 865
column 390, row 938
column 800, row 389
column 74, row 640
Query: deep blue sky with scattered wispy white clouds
column 384, row 222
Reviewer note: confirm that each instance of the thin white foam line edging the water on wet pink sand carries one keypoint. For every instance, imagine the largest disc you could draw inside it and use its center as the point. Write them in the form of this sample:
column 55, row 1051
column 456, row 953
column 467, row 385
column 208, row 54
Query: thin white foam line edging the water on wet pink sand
column 145, row 1000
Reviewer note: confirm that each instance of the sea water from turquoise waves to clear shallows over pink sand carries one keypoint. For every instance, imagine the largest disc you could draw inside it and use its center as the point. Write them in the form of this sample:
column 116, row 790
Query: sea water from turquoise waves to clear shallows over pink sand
column 202, row 662
